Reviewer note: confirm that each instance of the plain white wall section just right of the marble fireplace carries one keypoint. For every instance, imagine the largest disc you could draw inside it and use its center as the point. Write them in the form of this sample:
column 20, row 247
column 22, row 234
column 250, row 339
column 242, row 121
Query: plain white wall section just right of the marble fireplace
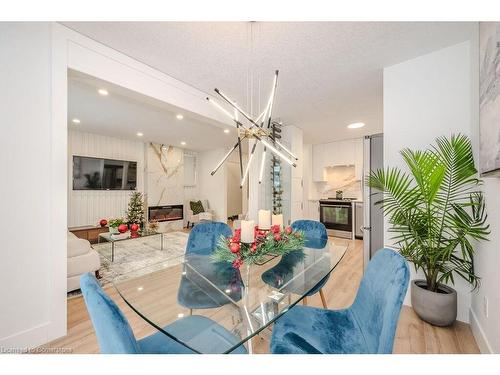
column 213, row 188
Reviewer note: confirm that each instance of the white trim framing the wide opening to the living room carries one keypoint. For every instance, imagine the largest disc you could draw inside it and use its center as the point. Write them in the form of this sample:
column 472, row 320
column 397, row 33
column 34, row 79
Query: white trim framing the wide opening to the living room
column 71, row 50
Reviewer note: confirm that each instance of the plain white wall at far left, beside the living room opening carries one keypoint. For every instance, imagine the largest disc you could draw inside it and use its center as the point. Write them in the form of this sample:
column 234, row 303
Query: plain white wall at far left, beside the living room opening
column 32, row 260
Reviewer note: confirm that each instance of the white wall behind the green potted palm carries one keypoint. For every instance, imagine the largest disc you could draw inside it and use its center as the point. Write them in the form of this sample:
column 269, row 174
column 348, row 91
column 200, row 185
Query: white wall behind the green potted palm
column 425, row 98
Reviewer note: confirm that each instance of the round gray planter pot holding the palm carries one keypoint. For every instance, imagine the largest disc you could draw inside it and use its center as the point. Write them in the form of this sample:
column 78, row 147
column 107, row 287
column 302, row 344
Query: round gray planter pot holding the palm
column 437, row 308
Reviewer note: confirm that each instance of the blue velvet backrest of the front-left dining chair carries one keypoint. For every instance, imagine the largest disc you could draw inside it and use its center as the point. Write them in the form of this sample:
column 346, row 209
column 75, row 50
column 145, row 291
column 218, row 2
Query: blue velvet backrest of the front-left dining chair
column 111, row 327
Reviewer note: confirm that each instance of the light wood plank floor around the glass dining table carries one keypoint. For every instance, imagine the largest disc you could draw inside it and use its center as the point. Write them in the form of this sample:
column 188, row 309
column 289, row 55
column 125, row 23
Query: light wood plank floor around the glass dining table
column 412, row 336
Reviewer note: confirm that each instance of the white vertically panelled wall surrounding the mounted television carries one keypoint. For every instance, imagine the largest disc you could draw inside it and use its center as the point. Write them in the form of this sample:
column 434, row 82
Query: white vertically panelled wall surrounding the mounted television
column 87, row 207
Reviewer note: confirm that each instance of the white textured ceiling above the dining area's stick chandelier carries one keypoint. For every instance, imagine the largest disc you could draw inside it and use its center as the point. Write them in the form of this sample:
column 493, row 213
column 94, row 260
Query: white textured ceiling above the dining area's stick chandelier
column 330, row 72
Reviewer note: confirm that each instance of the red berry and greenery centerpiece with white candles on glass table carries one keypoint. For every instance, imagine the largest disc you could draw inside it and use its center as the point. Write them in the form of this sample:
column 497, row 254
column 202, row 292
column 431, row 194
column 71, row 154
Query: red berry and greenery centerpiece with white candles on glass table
column 252, row 244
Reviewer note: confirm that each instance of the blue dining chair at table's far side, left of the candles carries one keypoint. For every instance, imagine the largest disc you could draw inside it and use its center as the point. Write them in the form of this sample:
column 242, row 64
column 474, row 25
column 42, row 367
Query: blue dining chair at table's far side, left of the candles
column 194, row 292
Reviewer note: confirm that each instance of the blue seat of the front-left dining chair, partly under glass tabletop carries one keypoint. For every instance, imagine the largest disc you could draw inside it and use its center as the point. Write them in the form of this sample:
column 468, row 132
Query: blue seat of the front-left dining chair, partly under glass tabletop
column 204, row 334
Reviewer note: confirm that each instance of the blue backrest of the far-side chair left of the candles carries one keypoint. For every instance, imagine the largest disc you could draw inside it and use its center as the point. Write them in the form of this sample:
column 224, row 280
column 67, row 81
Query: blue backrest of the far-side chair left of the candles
column 204, row 236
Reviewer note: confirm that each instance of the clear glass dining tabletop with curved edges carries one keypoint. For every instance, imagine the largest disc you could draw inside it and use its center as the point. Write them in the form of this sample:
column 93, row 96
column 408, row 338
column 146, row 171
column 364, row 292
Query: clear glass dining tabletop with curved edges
column 244, row 301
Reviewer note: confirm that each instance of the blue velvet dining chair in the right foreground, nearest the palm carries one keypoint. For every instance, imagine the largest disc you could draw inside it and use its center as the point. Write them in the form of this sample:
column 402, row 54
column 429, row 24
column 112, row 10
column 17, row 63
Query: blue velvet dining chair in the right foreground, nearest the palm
column 368, row 326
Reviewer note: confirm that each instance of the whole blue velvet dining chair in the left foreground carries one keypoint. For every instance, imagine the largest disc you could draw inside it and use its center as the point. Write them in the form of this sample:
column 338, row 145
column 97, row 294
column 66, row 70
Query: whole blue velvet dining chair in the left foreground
column 115, row 335
